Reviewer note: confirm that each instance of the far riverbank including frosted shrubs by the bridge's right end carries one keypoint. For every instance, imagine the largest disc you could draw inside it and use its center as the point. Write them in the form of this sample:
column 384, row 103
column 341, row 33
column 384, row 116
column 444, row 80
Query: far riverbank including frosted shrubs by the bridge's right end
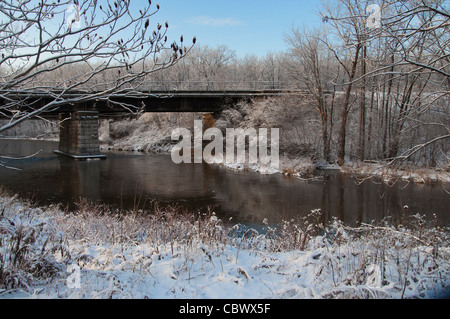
column 151, row 132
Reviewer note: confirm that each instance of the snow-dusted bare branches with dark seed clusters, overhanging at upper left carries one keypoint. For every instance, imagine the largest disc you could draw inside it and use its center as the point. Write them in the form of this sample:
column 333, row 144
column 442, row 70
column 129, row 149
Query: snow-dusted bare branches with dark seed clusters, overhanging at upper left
column 100, row 49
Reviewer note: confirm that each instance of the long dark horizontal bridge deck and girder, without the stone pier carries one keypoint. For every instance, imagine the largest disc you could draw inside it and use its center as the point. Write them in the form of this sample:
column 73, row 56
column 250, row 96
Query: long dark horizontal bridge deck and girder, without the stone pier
column 151, row 101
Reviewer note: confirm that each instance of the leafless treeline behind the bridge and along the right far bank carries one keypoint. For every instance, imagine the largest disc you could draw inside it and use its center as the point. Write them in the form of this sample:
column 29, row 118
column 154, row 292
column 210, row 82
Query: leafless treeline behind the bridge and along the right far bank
column 378, row 76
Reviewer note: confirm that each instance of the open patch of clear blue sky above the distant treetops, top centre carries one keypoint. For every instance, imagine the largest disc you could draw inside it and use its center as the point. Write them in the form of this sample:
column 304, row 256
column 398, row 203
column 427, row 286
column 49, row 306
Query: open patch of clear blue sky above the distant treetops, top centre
column 253, row 27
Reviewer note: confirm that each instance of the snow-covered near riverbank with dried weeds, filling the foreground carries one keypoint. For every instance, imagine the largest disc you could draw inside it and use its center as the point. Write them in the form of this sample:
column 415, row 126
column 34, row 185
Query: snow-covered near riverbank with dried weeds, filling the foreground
column 94, row 252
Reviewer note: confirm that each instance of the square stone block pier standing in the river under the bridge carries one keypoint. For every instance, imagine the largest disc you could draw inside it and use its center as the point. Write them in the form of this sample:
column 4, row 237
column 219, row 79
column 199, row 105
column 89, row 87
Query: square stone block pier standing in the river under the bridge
column 78, row 136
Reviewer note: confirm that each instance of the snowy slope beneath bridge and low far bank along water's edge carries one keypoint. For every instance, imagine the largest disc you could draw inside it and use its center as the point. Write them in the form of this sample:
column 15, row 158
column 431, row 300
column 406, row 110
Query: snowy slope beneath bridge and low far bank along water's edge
column 151, row 133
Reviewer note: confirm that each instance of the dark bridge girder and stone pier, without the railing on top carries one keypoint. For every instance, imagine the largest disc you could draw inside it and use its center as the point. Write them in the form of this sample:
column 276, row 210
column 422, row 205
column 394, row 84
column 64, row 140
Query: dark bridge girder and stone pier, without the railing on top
column 79, row 117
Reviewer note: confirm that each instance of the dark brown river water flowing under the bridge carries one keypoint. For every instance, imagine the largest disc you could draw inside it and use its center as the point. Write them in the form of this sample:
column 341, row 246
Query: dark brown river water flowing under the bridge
column 133, row 180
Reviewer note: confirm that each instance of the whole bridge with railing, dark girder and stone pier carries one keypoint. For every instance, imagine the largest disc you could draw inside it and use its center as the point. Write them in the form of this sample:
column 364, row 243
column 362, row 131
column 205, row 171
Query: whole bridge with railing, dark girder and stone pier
column 79, row 116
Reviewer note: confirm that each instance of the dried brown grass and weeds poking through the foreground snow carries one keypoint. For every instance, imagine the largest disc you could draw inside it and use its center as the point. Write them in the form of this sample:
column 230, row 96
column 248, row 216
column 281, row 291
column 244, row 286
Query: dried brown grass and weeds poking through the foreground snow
column 37, row 245
